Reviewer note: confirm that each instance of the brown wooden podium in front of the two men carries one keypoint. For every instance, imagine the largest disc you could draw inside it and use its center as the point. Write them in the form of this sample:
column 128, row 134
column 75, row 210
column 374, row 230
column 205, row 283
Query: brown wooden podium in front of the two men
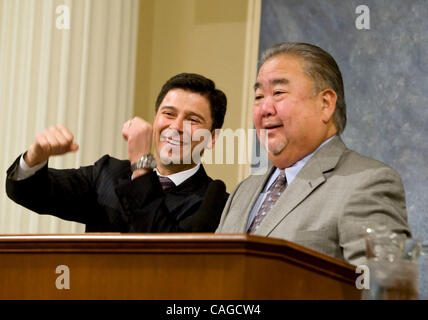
column 168, row 266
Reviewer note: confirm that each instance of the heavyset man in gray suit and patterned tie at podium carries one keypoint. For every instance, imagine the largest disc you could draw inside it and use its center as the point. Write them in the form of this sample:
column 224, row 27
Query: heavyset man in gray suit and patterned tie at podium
column 318, row 193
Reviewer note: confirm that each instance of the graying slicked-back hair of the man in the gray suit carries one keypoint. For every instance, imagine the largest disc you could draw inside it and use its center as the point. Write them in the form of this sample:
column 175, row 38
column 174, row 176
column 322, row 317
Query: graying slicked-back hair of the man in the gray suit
column 321, row 67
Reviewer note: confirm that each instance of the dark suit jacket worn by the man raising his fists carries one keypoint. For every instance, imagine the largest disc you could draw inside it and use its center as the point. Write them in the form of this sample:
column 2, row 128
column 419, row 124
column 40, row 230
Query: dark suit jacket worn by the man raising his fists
column 104, row 197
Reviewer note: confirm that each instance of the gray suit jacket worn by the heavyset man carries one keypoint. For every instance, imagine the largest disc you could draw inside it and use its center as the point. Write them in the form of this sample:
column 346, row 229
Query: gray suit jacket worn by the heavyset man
column 336, row 194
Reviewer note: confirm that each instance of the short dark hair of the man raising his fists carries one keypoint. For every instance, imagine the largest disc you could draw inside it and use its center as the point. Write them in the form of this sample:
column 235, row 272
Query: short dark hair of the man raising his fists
column 198, row 84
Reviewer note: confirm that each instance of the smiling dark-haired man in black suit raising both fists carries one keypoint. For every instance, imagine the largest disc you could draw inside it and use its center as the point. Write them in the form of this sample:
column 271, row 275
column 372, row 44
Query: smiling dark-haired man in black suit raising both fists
column 164, row 192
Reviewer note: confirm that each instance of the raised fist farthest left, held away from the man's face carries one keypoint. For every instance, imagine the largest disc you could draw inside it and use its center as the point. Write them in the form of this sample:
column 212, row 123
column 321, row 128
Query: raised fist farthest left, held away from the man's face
column 53, row 141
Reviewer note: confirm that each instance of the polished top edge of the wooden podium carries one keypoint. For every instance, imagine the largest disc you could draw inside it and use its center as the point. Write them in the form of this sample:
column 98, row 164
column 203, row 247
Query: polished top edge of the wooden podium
column 143, row 241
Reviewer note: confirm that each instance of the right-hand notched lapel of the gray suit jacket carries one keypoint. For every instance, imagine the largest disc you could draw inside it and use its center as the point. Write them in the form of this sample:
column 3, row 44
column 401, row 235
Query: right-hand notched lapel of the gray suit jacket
column 308, row 179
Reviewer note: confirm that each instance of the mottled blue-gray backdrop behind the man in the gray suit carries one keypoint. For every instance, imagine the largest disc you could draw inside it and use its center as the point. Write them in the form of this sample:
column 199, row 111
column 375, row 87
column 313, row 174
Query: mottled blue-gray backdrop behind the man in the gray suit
column 385, row 72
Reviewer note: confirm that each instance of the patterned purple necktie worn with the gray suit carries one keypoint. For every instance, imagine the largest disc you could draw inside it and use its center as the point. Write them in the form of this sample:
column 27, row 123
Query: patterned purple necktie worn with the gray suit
column 273, row 194
